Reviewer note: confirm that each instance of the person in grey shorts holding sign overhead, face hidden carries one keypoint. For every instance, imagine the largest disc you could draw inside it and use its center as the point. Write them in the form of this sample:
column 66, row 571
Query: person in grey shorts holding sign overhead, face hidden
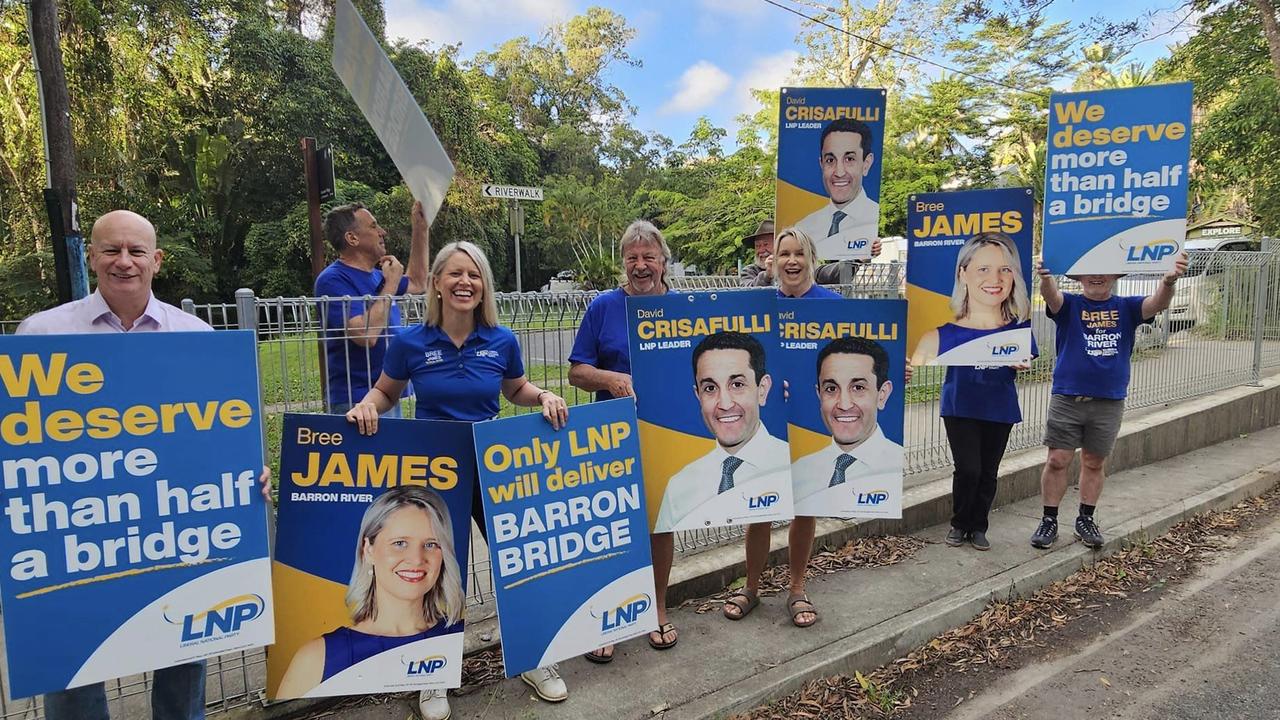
column 1095, row 339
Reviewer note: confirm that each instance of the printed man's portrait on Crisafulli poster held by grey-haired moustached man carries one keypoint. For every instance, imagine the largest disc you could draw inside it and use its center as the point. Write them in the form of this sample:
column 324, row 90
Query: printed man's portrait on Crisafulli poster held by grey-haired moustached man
column 747, row 477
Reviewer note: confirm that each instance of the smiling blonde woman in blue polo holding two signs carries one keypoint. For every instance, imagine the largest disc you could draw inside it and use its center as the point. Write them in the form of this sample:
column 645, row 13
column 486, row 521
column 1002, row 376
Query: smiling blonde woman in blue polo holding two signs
column 460, row 359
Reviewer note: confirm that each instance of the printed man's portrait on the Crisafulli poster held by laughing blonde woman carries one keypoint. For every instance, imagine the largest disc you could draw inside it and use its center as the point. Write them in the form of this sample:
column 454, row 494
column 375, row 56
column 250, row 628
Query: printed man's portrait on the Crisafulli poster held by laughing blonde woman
column 853, row 388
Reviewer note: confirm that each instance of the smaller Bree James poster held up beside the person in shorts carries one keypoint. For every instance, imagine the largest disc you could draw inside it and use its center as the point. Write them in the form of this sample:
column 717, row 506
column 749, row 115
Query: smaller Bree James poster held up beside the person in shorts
column 968, row 282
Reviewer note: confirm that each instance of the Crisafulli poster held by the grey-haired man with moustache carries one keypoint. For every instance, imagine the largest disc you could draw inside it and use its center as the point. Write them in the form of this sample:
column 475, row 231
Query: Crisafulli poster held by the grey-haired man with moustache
column 707, row 372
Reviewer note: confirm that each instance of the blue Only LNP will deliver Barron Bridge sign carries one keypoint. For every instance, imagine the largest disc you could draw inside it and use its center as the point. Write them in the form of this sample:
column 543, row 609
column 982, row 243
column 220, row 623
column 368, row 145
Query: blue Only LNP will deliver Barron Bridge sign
column 569, row 534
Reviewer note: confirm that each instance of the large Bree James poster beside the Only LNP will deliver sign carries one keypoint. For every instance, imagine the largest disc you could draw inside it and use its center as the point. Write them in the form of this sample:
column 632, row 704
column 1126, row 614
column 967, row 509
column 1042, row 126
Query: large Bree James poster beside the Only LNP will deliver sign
column 371, row 557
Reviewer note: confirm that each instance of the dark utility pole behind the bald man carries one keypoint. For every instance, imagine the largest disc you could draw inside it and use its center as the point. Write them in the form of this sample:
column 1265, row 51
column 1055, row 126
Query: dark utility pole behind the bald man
column 61, row 204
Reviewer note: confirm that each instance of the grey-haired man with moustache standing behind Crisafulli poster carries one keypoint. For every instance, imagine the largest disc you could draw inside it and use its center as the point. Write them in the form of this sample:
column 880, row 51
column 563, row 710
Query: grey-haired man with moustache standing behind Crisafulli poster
column 601, row 363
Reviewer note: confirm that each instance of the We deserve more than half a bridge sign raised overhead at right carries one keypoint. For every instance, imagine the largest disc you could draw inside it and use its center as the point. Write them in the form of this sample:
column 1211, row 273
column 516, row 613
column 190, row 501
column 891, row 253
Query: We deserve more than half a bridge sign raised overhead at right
column 1116, row 180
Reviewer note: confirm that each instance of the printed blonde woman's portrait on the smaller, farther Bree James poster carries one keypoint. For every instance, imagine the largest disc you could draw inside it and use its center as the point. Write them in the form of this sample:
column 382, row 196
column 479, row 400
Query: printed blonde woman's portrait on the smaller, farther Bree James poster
column 990, row 297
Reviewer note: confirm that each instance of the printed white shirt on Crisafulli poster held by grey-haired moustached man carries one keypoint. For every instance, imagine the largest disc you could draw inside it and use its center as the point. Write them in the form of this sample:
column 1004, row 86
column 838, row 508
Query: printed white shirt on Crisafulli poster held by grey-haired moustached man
column 693, row 500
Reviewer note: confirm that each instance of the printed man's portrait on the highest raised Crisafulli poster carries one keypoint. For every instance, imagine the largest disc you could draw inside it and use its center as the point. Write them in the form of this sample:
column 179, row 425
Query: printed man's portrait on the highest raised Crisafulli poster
column 845, row 158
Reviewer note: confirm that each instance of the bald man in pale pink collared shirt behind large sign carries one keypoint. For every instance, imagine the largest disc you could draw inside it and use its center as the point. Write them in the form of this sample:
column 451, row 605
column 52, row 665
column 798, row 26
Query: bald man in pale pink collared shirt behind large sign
column 125, row 257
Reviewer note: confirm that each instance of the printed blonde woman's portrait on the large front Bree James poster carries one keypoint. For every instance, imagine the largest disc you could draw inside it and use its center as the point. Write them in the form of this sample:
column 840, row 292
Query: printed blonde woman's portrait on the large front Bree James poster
column 406, row 586
